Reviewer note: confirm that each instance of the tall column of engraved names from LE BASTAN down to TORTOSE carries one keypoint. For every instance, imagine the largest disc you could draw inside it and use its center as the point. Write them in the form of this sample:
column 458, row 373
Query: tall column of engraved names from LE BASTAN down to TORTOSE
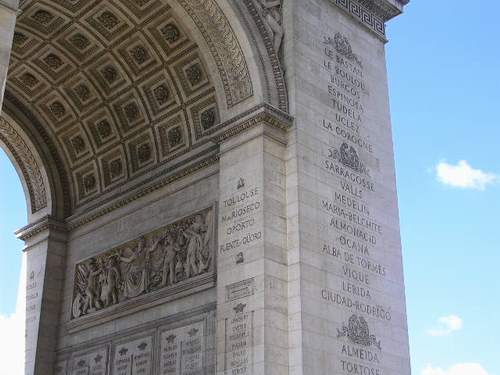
column 351, row 231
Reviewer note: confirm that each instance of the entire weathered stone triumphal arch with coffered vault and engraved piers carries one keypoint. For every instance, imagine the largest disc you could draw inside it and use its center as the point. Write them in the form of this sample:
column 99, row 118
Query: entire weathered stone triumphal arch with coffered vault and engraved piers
column 212, row 186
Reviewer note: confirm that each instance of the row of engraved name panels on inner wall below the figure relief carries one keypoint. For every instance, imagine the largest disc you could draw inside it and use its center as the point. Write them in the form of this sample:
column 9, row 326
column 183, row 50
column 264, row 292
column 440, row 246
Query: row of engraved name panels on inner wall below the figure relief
column 169, row 346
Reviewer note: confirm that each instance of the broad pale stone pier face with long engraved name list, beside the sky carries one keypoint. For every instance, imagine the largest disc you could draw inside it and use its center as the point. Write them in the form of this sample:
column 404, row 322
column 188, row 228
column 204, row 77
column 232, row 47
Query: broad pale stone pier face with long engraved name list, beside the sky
column 346, row 289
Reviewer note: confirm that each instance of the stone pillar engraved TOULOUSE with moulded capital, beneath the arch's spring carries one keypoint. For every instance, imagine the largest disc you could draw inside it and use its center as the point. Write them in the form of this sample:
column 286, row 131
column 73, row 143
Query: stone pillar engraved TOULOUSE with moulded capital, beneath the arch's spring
column 252, row 272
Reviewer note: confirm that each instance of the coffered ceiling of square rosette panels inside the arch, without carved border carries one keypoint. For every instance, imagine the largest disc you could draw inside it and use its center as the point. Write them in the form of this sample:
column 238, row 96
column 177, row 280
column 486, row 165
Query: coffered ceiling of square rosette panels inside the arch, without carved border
column 119, row 84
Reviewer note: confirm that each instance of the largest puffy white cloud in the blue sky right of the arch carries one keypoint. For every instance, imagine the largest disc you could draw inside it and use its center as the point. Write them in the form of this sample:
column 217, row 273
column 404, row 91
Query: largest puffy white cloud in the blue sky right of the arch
column 463, row 176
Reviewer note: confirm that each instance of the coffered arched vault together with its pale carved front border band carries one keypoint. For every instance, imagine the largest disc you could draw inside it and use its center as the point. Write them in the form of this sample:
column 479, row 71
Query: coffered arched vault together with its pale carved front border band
column 119, row 92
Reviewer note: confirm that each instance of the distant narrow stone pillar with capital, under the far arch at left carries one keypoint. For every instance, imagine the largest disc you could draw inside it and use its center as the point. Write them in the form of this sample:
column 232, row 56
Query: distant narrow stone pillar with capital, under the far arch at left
column 46, row 252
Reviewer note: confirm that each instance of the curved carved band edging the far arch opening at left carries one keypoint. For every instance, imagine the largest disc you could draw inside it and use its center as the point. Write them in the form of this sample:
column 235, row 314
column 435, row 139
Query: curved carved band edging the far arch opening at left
column 26, row 161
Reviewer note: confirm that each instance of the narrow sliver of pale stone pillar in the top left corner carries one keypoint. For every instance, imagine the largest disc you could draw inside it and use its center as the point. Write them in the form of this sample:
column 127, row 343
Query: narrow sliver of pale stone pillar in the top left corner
column 8, row 12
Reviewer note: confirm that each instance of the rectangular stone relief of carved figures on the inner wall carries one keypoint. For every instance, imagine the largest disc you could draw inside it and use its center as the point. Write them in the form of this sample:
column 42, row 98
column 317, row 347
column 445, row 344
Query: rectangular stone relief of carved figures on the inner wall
column 162, row 259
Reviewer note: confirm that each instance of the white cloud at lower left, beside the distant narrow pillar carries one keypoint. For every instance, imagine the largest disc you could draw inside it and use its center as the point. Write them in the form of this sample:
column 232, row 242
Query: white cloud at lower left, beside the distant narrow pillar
column 12, row 329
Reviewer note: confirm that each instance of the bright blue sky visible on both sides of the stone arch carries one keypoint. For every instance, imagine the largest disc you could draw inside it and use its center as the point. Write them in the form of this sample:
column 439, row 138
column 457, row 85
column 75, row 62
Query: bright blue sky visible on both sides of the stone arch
column 443, row 62
